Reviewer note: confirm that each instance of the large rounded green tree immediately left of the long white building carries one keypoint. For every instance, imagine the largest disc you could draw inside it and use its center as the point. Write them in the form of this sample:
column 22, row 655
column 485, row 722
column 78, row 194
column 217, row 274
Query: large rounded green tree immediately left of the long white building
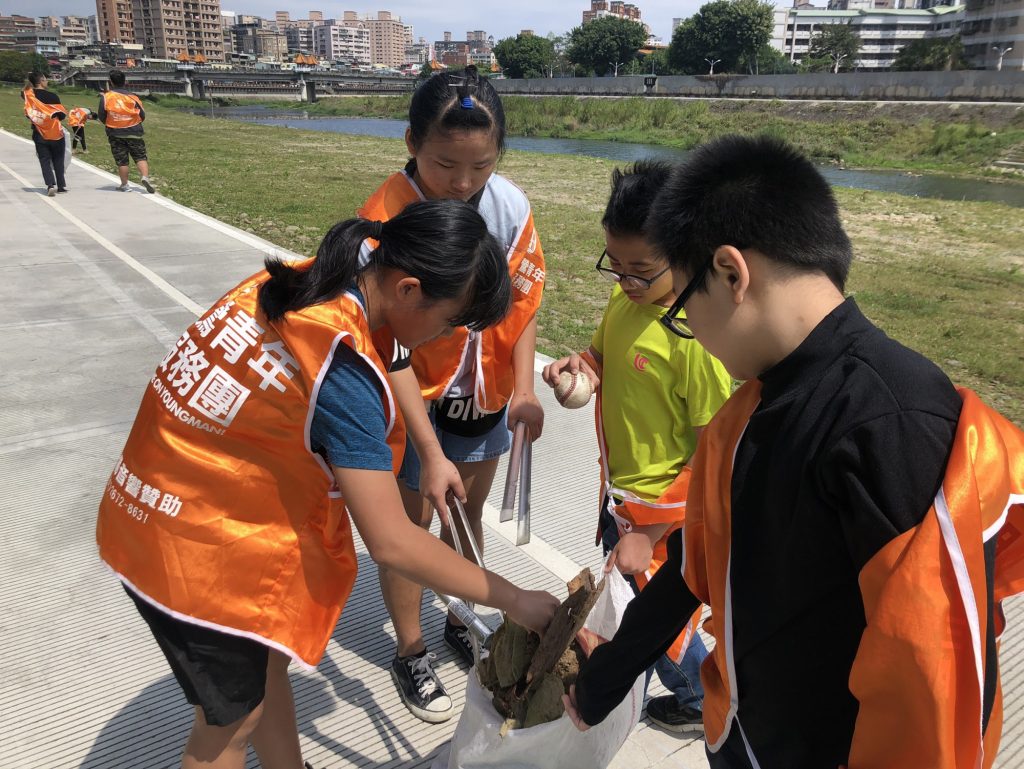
column 729, row 32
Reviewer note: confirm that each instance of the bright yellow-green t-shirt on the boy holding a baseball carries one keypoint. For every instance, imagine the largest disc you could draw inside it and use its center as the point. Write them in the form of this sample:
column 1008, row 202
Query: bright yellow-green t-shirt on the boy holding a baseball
column 656, row 389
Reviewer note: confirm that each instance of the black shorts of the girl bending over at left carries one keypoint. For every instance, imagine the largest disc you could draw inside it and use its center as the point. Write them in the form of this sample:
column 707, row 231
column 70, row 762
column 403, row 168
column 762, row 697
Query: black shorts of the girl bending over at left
column 225, row 675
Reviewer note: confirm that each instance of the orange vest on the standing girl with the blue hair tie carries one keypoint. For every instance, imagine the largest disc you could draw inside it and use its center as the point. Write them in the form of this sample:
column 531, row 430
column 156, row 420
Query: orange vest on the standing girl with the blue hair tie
column 438, row 364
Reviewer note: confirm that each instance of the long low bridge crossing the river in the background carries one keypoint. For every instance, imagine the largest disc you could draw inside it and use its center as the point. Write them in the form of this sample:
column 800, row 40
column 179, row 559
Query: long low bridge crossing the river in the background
column 301, row 84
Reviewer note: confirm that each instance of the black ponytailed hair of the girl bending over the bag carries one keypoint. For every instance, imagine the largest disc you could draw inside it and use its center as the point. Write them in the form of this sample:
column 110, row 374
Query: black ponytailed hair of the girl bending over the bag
column 445, row 244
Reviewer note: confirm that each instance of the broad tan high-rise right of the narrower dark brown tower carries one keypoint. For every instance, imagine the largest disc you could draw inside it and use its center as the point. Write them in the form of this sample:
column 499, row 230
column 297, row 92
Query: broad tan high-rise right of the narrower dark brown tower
column 168, row 29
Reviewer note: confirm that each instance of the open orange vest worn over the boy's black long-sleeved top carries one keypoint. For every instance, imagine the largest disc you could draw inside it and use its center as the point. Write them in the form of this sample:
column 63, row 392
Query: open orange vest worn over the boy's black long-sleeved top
column 924, row 594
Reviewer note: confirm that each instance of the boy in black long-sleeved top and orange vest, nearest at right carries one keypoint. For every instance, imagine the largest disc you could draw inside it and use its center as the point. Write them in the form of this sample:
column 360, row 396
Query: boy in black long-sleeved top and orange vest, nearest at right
column 854, row 522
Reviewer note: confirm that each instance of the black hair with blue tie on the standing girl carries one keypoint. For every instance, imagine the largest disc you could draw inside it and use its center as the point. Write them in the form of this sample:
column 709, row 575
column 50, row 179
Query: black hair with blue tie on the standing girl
column 456, row 101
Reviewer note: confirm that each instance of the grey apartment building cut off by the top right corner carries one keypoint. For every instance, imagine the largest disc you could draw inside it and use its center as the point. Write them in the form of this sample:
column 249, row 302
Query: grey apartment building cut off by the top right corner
column 994, row 34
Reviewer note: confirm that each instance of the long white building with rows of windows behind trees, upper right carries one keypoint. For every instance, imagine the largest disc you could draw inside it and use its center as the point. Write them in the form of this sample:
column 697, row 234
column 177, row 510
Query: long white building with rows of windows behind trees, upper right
column 883, row 32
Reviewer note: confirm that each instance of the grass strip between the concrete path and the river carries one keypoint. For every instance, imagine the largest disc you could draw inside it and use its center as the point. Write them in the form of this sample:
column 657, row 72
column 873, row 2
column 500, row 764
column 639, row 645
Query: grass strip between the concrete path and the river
column 945, row 278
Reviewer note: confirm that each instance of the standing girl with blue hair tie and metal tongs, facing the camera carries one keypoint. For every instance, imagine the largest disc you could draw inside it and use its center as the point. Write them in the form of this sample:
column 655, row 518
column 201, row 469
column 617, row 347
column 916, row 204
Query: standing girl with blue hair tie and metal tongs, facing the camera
column 460, row 395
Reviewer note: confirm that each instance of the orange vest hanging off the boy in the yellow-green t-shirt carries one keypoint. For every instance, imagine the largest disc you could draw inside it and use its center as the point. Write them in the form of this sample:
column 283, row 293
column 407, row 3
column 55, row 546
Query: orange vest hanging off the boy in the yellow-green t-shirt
column 636, row 511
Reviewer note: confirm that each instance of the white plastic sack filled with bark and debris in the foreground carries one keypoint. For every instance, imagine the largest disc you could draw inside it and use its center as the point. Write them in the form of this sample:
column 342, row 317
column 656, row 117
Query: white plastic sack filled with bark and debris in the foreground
column 558, row 745
